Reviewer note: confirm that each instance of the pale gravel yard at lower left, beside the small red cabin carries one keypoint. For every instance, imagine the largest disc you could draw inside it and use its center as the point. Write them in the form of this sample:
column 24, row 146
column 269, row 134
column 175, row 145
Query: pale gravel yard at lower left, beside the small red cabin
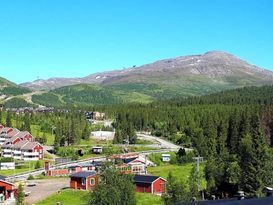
column 45, row 188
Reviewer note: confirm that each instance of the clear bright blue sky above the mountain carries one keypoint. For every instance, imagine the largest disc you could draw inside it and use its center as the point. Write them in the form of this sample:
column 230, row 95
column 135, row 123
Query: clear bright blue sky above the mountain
column 74, row 38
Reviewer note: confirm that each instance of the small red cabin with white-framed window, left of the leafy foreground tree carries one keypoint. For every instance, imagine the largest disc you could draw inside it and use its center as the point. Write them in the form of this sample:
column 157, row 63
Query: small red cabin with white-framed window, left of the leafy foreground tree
column 86, row 180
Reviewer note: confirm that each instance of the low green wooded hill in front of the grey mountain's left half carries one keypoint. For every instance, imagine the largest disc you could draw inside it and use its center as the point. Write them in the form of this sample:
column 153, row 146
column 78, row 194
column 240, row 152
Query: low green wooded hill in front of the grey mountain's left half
column 86, row 95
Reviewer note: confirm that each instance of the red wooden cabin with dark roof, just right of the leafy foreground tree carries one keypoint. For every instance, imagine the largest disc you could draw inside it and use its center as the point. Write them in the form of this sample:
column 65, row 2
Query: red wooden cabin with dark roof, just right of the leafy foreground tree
column 150, row 184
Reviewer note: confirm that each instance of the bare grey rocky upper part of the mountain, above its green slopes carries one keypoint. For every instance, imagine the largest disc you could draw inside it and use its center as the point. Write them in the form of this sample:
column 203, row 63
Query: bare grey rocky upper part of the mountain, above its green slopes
column 211, row 64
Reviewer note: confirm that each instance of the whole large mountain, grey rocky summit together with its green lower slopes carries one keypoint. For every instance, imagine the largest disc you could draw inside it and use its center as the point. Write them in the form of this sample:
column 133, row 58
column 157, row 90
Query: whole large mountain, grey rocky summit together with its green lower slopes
column 184, row 76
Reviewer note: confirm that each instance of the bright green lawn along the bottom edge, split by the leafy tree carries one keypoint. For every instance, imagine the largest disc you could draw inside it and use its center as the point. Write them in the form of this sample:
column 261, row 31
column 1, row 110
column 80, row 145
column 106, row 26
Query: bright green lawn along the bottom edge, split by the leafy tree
column 72, row 197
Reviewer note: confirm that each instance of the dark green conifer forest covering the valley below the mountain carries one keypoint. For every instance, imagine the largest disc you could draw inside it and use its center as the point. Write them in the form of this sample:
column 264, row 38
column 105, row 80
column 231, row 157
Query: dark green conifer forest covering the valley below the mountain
column 232, row 130
